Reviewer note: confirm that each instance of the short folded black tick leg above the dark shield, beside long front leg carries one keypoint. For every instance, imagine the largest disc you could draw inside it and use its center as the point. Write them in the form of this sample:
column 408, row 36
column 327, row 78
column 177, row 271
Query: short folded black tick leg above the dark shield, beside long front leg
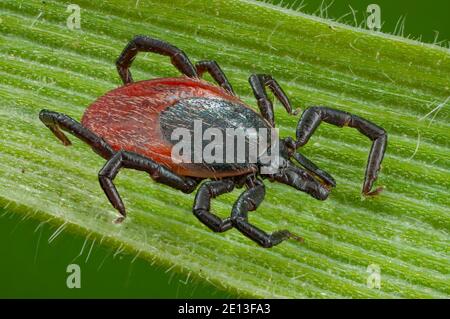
column 259, row 82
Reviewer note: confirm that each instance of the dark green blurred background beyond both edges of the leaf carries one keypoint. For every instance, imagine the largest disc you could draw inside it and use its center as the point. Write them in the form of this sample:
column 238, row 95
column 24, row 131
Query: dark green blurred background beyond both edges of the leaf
column 31, row 267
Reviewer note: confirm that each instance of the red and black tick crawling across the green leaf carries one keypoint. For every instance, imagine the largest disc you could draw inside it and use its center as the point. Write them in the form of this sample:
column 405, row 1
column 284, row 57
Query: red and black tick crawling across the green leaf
column 130, row 127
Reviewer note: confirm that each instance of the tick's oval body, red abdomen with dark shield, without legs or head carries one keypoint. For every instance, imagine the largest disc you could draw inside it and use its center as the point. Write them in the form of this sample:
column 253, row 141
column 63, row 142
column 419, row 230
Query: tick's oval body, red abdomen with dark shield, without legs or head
column 140, row 118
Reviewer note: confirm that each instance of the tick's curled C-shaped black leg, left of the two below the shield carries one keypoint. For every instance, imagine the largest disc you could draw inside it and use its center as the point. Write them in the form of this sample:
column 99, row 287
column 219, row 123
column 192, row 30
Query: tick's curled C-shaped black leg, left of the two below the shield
column 202, row 205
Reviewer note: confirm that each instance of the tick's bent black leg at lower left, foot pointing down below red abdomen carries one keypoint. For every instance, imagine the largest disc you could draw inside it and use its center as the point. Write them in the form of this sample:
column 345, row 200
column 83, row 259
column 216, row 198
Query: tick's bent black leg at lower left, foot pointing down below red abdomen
column 160, row 174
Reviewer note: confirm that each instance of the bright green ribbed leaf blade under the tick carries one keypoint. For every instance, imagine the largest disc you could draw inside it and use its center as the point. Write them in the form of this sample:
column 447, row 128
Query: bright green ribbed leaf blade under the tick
column 392, row 82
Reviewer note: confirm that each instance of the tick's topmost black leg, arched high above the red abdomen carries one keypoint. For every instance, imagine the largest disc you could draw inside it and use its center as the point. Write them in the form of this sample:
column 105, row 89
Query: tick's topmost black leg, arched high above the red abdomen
column 146, row 44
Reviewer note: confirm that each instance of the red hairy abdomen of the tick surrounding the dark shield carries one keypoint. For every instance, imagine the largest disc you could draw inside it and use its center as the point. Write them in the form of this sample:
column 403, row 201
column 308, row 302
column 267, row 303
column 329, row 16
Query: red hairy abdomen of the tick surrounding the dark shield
column 128, row 117
